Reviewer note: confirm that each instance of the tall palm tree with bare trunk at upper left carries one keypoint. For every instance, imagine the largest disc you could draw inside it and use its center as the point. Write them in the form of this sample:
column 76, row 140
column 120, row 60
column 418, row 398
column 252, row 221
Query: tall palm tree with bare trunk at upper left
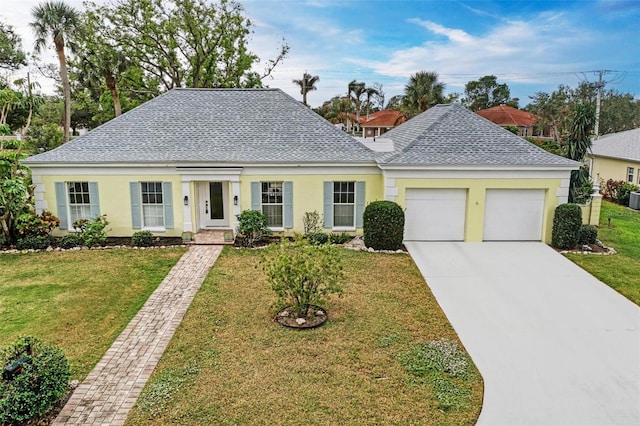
column 57, row 20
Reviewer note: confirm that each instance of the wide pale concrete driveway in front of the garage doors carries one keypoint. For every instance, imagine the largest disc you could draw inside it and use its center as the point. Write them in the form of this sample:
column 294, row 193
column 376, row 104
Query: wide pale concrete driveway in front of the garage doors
column 555, row 346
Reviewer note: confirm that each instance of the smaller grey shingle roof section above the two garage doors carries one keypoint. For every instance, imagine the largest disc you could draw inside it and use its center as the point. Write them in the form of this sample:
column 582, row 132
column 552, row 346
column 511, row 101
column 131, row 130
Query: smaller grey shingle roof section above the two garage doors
column 453, row 135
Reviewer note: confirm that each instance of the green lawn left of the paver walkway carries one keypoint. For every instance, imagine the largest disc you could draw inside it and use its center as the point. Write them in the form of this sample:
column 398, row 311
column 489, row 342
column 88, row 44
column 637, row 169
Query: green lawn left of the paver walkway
column 77, row 300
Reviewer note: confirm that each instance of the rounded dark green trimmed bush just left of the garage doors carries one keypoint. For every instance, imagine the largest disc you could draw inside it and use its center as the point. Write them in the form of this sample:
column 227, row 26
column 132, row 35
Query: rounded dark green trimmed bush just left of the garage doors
column 383, row 225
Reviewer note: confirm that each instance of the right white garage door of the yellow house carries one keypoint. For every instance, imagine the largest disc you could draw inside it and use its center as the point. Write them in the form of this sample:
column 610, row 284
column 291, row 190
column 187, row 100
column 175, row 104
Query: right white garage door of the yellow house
column 513, row 214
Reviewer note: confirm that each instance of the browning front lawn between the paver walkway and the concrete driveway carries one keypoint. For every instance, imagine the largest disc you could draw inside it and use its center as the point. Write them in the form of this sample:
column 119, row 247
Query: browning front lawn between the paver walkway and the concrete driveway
column 230, row 363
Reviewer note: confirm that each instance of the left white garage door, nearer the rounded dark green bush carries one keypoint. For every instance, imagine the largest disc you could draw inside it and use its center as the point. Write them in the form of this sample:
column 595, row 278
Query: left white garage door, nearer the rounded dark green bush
column 435, row 214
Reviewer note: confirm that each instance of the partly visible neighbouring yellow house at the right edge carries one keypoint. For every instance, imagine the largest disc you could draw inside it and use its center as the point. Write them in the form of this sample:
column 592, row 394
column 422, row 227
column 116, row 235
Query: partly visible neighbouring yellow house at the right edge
column 616, row 156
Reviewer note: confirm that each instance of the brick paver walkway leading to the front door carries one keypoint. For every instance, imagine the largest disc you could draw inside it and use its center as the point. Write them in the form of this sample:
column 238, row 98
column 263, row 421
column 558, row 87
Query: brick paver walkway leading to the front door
column 108, row 393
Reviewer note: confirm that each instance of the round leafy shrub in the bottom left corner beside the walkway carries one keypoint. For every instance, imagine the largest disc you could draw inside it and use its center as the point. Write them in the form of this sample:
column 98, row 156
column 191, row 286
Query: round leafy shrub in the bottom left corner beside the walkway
column 41, row 383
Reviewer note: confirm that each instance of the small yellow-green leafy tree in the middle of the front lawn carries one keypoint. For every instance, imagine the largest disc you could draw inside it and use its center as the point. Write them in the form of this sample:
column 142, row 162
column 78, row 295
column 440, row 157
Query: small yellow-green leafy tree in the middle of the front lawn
column 302, row 274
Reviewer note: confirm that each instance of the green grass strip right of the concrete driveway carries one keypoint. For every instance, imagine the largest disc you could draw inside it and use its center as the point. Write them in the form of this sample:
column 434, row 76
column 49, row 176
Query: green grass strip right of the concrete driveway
column 621, row 271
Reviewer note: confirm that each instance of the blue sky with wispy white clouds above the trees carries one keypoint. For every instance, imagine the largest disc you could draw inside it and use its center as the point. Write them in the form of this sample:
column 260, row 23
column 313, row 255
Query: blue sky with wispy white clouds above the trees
column 532, row 46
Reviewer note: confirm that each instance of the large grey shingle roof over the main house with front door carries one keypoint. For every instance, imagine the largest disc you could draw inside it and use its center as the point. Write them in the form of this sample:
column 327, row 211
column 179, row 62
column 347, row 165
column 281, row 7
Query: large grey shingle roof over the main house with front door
column 213, row 125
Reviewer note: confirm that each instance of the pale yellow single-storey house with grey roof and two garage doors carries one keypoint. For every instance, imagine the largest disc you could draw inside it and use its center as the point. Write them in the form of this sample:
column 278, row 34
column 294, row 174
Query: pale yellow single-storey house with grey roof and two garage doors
column 190, row 160
